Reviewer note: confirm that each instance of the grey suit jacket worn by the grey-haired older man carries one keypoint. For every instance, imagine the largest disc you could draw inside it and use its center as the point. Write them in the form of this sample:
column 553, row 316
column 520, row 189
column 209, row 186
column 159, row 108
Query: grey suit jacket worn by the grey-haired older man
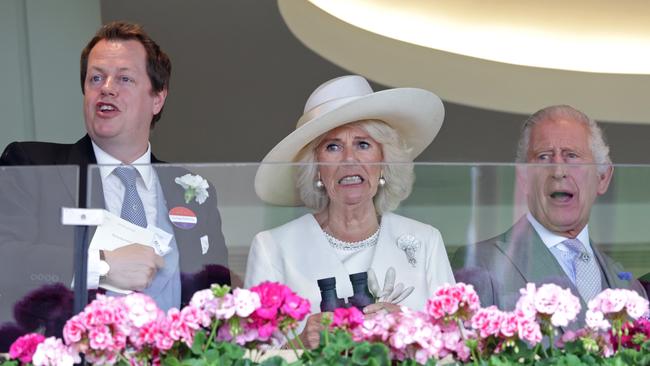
column 500, row 266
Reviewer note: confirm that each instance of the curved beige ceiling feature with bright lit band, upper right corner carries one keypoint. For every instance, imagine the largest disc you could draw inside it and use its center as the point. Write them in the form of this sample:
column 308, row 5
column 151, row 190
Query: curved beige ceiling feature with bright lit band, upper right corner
column 489, row 54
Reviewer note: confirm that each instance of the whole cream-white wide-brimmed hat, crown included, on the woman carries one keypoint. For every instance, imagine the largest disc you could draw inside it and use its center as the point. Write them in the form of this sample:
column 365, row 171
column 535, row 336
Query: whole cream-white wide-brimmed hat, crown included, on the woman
column 415, row 114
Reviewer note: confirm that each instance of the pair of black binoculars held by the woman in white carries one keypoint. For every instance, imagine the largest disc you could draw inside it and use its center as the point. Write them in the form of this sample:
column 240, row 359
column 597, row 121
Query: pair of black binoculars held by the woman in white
column 360, row 298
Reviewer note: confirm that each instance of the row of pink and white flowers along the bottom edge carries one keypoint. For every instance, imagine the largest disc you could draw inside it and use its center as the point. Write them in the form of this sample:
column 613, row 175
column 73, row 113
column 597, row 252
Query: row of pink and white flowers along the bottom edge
column 246, row 327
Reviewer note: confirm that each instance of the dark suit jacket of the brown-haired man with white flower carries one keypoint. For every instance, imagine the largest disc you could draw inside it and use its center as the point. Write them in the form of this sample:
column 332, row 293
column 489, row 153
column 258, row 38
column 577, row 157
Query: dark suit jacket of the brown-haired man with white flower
column 37, row 197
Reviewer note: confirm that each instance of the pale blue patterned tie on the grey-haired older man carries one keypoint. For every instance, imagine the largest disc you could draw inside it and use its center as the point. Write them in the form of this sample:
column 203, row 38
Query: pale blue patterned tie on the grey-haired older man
column 586, row 270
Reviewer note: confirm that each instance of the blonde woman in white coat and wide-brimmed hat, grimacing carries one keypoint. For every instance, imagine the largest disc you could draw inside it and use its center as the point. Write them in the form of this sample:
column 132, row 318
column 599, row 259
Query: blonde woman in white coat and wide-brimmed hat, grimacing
column 346, row 140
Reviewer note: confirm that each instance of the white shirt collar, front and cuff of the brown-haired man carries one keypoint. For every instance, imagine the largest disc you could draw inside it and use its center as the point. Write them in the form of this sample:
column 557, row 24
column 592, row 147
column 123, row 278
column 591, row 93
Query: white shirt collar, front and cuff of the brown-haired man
column 113, row 189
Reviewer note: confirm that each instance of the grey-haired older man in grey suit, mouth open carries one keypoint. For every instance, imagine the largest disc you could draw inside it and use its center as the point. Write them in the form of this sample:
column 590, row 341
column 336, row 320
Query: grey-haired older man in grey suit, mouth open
column 551, row 243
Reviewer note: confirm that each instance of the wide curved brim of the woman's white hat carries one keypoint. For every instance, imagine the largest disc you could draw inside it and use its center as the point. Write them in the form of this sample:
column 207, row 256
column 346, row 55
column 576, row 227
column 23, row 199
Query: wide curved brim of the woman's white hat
column 415, row 114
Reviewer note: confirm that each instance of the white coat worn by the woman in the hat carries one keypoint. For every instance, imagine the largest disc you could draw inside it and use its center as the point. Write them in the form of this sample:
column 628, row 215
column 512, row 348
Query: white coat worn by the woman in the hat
column 298, row 254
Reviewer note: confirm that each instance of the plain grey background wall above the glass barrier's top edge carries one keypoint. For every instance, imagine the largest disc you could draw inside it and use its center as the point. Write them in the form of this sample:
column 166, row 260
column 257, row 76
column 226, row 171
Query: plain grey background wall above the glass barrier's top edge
column 239, row 83
